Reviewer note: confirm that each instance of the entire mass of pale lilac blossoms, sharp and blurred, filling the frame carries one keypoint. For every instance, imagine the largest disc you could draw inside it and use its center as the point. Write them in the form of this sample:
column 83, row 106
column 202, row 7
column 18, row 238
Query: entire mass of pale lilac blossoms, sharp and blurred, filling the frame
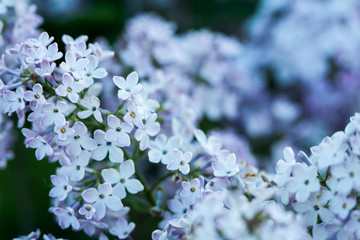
column 99, row 116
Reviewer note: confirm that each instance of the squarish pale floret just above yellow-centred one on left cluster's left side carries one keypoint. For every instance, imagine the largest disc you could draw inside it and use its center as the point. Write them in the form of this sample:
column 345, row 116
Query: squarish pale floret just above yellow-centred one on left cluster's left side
column 54, row 113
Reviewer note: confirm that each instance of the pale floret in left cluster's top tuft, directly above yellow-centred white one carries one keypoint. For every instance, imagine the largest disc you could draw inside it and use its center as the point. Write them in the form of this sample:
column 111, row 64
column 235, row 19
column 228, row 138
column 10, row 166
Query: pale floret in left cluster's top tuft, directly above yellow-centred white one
column 74, row 66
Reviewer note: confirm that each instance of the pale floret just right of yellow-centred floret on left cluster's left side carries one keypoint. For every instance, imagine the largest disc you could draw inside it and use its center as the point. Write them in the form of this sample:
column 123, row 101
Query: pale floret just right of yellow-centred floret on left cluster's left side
column 80, row 139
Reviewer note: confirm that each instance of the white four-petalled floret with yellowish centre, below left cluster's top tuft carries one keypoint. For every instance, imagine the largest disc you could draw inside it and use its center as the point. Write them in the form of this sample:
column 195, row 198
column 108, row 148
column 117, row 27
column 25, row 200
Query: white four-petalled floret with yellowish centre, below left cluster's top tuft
column 69, row 88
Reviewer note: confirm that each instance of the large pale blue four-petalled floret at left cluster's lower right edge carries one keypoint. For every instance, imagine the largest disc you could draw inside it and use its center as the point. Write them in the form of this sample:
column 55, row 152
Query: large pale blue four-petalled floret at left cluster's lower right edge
column 122, row 179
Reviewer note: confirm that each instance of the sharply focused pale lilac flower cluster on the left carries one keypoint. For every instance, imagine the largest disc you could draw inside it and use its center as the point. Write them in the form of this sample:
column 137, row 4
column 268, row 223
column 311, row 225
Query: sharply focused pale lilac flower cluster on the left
column 92, row 145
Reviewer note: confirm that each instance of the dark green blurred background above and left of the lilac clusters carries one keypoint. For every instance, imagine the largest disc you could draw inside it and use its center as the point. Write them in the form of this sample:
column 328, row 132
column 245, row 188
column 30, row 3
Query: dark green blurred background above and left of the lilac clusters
column 25, row 183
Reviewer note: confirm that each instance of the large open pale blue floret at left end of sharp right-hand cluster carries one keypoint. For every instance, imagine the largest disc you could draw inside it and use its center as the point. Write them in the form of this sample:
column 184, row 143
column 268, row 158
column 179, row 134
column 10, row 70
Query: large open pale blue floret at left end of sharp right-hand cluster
column 303, row 182
